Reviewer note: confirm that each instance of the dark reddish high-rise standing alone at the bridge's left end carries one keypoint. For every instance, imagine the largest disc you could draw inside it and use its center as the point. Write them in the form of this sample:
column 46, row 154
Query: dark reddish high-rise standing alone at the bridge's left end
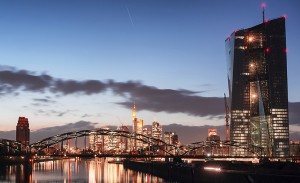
column 23, row 131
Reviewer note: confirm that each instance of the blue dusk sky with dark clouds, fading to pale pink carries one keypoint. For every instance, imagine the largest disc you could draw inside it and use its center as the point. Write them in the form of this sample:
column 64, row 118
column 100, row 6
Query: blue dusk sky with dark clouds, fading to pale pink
column 65, row 61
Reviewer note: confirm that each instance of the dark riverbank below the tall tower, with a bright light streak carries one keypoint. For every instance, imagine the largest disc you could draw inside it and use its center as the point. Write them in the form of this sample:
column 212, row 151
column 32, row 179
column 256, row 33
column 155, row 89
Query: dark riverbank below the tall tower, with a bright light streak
column 219, row 171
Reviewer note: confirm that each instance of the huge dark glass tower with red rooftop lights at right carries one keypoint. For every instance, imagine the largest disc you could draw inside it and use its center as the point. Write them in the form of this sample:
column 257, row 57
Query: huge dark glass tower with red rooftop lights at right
column 258, row 90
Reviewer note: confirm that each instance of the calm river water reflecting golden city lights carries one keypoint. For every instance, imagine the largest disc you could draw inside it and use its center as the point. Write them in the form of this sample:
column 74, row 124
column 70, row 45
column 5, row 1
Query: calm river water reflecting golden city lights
column 74, row 170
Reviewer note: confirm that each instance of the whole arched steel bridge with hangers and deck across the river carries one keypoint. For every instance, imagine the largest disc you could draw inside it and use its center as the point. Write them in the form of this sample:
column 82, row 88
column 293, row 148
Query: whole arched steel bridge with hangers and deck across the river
column 152, row 145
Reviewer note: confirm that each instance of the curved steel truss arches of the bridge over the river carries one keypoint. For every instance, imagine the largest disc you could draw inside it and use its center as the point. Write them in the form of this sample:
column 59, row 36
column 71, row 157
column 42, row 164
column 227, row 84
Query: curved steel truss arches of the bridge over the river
column 169, row 149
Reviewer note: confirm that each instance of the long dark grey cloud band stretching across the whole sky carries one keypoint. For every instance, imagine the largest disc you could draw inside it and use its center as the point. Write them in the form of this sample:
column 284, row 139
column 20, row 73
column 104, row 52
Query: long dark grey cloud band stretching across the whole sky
column 148, row 97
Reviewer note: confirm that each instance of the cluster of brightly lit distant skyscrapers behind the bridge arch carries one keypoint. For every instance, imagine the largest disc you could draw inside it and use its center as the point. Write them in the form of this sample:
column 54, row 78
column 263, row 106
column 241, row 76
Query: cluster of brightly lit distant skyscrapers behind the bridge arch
column 113, row 142
